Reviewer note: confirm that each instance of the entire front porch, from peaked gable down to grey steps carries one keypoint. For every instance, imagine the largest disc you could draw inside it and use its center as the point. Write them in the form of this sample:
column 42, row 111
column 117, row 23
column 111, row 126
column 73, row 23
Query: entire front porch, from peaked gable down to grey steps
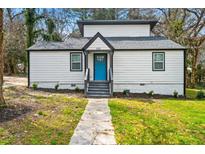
column 98, row 75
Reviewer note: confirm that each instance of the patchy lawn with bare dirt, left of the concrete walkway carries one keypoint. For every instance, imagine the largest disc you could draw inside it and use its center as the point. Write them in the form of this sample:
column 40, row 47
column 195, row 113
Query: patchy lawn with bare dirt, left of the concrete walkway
column 37, row 117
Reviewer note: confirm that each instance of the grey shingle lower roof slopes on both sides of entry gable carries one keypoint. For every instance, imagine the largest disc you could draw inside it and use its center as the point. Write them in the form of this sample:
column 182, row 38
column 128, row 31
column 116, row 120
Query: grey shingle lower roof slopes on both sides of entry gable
column 119, row 43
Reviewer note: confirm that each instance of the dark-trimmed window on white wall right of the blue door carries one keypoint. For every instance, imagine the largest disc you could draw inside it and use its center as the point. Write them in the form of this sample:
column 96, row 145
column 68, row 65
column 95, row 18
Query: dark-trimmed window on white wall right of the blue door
column 158, row 61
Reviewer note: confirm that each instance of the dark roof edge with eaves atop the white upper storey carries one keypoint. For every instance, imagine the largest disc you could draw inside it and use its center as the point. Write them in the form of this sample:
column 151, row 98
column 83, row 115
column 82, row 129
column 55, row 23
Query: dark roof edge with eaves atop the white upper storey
column 81, row 23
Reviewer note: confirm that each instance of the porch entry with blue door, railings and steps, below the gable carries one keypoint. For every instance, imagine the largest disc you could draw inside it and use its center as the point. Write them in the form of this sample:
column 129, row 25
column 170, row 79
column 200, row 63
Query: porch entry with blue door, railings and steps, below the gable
column 98, row 77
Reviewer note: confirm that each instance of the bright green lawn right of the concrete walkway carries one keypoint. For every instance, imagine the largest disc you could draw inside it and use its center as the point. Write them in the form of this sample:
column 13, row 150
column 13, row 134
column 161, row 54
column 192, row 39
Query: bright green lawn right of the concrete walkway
column 163, row 121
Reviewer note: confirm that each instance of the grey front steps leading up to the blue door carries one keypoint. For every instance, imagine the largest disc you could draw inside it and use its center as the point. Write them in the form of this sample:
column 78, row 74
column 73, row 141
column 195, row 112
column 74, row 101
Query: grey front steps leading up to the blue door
column 98, row 89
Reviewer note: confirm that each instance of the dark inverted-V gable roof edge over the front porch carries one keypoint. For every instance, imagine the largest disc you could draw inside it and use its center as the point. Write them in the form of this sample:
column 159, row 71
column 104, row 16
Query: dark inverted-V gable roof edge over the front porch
column 98, row 35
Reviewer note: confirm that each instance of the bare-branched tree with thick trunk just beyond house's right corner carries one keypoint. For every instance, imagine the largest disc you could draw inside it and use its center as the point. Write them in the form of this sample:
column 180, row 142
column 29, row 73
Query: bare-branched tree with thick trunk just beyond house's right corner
column 185, row 26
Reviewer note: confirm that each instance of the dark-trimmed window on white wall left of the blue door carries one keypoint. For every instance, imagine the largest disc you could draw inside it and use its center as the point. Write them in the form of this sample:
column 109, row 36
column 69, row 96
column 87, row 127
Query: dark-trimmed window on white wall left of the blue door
column 75, row 62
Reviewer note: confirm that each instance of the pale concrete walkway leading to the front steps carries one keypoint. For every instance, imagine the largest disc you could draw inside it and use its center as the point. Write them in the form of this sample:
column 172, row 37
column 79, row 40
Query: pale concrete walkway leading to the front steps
column 95, row 126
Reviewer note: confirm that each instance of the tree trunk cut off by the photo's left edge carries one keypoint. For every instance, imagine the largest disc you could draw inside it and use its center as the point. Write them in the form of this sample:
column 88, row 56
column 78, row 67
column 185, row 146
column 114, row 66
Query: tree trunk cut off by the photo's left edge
column 2, row 101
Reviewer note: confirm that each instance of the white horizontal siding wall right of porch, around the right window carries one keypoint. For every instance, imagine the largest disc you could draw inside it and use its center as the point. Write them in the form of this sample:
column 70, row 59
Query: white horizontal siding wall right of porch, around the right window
column 132, row 68
